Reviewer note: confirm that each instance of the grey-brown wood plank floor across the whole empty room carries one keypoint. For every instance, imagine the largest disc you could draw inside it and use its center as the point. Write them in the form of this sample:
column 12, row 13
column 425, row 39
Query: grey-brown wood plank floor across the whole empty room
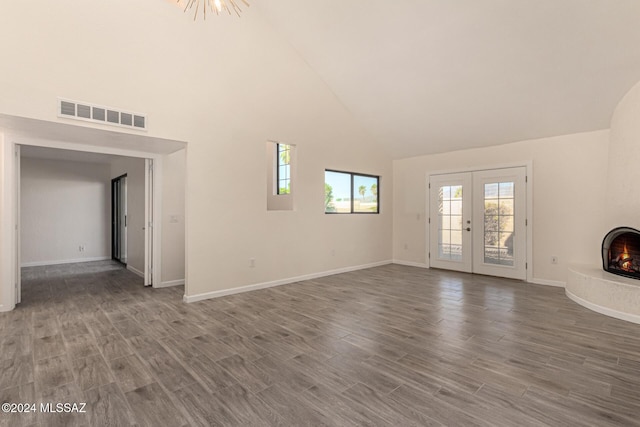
column 387, row 346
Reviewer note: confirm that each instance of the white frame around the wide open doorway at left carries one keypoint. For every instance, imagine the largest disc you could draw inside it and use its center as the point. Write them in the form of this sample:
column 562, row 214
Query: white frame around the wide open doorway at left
column 10, row 209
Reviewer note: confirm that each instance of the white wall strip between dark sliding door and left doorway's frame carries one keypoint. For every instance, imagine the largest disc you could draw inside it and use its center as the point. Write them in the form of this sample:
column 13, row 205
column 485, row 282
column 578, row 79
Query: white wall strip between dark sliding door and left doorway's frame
column 134, row 169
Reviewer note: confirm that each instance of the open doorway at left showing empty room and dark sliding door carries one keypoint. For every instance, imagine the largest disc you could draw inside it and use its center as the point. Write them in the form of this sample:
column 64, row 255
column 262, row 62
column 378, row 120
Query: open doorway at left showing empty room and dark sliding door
column 73, row 211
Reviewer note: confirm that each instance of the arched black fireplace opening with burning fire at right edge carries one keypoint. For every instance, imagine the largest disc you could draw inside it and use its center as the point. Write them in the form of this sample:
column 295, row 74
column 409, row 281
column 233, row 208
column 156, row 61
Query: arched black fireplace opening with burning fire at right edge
column 621, row 252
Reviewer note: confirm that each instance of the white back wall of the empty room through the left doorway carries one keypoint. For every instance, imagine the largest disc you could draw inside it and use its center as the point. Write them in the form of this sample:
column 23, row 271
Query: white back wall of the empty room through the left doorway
column 64, row 205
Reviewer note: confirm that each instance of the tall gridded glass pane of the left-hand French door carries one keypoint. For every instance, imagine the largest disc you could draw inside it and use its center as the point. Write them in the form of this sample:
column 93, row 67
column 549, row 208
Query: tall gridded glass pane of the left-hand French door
column 450, row 222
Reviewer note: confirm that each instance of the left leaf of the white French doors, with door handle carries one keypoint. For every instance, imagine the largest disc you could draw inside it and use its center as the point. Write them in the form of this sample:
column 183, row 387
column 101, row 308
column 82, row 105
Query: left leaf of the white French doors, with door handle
column 450, row 221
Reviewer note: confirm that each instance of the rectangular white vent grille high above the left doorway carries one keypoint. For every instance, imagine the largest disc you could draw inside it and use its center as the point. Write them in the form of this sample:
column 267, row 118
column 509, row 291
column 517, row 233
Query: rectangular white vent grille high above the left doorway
column 100, row 114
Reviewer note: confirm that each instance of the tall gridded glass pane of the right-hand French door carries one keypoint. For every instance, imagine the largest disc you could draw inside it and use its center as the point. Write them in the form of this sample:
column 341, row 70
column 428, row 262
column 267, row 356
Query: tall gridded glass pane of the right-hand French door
column 498, row 223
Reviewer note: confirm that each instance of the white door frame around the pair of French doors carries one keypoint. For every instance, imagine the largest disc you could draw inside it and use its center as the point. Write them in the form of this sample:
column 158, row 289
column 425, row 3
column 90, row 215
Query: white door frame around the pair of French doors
column 528, row 165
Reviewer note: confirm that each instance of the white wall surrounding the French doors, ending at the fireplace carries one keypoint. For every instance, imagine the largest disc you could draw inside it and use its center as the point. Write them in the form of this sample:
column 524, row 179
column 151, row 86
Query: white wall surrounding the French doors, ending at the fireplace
column 569, row 185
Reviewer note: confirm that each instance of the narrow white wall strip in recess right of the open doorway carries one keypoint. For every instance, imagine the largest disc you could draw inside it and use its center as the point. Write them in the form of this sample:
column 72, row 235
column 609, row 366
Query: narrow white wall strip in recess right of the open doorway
column 173, row 214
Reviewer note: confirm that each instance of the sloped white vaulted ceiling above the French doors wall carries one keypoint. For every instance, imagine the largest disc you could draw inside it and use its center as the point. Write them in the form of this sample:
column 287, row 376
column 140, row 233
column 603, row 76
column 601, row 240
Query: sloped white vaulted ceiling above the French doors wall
column 427, row 76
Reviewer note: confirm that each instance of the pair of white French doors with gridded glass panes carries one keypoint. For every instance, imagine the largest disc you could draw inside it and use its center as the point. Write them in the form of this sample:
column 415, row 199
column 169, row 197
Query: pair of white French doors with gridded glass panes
column 478, row 222
